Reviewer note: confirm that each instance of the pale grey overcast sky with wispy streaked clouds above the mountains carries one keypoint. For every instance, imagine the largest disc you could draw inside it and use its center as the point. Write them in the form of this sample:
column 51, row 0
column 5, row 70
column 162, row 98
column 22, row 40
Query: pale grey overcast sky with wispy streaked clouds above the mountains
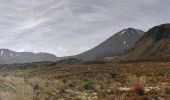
column 68, row 27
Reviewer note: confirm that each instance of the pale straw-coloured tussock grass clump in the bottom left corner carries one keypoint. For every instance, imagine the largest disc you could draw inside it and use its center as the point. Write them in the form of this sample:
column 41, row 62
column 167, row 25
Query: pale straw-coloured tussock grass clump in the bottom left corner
column 15, row 89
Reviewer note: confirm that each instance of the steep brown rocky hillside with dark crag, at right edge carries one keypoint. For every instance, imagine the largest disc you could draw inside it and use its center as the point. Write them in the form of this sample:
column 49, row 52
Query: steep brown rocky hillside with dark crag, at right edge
column 155, row 43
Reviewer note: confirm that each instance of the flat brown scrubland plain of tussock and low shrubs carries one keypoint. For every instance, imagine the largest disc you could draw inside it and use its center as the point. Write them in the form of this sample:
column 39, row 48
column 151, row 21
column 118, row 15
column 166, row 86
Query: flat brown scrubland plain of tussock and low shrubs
column 111, row 81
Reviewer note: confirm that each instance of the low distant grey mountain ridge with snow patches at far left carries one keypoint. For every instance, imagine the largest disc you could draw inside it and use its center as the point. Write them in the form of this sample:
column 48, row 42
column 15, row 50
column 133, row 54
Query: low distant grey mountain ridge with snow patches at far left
column 10, row 57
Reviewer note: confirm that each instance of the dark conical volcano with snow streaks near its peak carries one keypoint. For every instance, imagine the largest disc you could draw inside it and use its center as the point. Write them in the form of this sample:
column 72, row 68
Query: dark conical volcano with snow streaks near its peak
column 117, row 44
